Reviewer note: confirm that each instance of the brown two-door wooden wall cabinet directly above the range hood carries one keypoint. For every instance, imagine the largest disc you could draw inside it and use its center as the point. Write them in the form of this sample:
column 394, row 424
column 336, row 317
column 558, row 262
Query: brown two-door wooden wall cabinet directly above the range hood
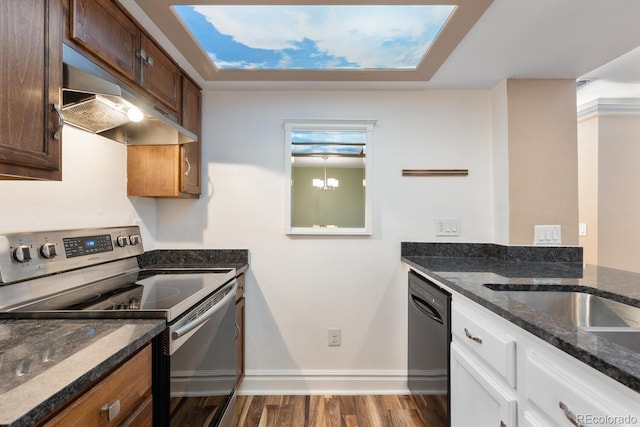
column 105, row 33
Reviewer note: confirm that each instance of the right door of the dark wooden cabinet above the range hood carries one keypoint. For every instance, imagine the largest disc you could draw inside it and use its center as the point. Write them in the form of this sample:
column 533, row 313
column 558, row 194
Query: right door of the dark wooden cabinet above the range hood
column 160, row 76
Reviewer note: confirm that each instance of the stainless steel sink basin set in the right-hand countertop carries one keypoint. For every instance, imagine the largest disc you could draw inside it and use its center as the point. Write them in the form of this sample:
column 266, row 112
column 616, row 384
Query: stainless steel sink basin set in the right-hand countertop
column 579, row 309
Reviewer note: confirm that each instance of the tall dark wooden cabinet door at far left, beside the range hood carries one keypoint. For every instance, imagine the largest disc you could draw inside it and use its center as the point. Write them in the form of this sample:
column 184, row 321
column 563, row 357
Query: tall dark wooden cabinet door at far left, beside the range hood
column 30, row 83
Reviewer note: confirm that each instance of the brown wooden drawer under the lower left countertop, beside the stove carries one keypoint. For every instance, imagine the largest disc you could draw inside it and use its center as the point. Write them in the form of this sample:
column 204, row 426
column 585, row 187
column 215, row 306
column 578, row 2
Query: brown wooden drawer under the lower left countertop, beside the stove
column 130, row 384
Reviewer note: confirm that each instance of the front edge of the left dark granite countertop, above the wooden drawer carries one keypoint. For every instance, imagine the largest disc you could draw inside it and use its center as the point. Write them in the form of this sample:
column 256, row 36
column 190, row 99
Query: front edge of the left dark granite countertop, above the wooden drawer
column 61, row 397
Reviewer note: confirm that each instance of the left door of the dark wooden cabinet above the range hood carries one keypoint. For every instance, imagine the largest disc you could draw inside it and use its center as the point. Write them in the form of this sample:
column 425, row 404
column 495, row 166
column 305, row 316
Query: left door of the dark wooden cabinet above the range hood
column 106, row 33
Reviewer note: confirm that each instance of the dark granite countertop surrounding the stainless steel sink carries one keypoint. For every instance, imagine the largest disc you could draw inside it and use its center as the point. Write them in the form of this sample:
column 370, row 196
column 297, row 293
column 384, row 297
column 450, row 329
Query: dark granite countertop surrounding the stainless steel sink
column 466, row 271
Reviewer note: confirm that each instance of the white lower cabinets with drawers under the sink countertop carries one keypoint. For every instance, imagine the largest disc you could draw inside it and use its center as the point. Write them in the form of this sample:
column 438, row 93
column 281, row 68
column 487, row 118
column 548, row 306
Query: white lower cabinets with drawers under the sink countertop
column 549, row 388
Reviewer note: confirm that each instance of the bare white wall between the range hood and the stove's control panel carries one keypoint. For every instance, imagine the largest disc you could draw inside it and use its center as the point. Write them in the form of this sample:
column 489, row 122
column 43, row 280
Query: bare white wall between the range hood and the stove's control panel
column 92, row 193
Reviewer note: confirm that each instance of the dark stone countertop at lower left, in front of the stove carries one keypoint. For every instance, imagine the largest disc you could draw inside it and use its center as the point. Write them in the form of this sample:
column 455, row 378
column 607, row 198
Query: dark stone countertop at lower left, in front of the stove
column 58, row 358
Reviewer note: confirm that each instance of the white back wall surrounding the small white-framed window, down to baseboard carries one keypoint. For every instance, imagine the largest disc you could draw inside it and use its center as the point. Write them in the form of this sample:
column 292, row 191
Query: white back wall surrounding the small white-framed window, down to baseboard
column 298, row 287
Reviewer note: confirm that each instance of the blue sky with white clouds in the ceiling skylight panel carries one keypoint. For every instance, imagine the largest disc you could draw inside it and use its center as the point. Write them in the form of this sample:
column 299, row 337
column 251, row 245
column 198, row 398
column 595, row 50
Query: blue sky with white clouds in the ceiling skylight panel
column 315, row 37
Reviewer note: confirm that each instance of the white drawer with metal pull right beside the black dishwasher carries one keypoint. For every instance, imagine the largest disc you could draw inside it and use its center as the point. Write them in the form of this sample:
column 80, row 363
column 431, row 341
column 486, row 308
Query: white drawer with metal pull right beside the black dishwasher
column 483, row 336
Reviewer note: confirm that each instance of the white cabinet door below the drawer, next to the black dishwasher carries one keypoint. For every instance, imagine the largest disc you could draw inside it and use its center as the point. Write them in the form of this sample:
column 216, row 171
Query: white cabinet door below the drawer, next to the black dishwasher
column 477, row 398
